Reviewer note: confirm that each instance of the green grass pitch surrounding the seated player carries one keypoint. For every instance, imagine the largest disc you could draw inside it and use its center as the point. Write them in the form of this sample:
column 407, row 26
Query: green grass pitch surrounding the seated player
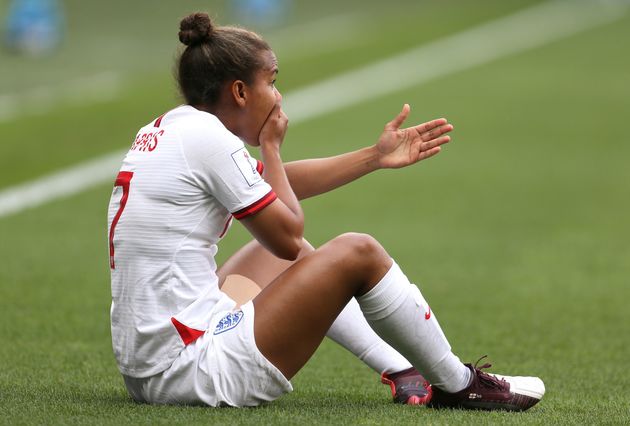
column 518, row 233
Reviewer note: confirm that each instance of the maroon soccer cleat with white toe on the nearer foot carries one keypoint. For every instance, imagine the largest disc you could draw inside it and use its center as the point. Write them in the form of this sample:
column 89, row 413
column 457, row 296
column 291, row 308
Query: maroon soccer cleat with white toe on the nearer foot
column 492, row 392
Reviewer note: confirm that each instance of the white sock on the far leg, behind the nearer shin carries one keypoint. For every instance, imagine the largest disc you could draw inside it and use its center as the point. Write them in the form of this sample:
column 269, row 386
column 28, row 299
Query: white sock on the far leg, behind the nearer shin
column 352, row 331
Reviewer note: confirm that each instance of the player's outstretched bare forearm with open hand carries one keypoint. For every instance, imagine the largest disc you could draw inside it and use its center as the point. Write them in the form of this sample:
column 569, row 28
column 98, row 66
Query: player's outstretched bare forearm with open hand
column 395, row 148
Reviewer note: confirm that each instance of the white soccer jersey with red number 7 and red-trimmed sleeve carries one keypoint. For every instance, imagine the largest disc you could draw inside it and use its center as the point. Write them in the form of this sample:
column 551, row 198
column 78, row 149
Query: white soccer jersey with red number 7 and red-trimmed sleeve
column 180, row 184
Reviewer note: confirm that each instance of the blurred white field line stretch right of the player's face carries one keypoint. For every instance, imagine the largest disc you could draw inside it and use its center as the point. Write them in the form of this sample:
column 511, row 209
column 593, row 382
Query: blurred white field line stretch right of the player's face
column 524, row 30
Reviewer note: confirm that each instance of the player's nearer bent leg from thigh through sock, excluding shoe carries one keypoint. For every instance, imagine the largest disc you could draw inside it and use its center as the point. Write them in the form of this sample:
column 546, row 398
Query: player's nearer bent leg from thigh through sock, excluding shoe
column 311, row 293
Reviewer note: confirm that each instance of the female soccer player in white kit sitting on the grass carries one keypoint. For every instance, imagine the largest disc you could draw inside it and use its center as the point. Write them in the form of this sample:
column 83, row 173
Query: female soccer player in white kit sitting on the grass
column 177, row 338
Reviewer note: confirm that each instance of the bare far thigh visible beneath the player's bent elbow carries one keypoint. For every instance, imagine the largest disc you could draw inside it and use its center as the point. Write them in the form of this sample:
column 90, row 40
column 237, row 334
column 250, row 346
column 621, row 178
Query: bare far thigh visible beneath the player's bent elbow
column 257, row 263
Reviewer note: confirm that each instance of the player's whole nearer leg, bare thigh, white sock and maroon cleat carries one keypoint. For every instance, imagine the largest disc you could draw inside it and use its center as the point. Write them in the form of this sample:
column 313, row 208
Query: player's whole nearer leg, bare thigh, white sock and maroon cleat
column 300, row 305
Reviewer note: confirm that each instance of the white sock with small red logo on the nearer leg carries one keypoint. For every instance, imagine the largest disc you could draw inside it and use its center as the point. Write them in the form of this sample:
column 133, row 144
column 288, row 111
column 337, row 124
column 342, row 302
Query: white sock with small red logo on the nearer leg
column 399, row 314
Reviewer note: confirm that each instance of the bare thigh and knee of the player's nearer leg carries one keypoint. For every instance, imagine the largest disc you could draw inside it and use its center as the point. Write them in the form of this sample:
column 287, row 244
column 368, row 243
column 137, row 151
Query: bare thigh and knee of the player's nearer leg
column 296, row 310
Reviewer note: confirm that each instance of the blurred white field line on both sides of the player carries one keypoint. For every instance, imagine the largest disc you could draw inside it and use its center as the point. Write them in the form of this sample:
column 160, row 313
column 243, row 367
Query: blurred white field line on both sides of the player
column 524, row 30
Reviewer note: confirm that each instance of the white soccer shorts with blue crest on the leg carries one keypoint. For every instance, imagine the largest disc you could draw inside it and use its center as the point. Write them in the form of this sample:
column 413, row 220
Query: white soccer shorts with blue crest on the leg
column 223, row 367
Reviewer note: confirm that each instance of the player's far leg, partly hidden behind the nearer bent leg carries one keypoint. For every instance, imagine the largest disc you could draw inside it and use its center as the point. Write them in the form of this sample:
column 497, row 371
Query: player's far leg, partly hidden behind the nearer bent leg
column 350, row 329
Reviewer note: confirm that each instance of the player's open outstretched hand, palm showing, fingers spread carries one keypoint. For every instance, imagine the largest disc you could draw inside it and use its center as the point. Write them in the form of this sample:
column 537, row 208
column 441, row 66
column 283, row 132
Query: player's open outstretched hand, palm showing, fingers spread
column 401, row 147
